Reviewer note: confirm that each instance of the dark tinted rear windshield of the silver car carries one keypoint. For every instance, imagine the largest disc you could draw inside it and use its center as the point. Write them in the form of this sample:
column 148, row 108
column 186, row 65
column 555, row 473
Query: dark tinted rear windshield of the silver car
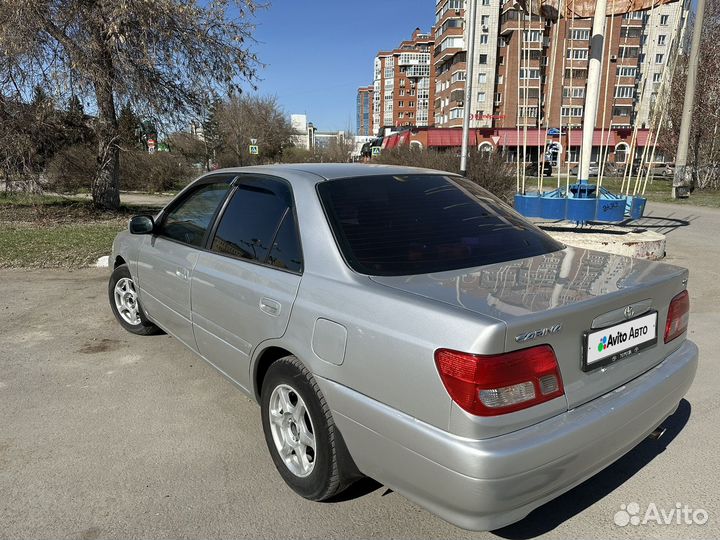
column 417, row 224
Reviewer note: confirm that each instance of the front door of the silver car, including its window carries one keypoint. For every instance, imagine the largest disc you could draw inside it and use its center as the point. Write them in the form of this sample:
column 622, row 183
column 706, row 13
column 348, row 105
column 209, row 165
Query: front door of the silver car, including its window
column 167, row 259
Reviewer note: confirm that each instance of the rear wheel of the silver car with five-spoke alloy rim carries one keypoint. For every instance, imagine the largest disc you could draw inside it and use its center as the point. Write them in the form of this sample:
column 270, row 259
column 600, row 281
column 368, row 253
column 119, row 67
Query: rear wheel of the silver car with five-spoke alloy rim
column 304, row 443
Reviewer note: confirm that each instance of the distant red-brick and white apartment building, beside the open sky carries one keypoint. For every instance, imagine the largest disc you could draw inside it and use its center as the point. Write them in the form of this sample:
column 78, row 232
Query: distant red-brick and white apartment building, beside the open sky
column 402, row 90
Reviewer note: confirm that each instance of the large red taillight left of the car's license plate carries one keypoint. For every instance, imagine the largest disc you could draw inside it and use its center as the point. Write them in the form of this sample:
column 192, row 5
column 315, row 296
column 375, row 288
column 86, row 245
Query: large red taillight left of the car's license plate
column 490, row 385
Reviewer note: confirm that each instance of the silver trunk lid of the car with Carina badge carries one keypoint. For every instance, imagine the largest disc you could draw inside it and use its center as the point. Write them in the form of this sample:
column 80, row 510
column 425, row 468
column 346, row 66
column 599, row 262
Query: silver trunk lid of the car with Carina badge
column 564, row 299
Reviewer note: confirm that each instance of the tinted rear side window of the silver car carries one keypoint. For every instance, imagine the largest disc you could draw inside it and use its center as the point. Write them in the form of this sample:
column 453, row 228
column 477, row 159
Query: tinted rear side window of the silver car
column 258, row 224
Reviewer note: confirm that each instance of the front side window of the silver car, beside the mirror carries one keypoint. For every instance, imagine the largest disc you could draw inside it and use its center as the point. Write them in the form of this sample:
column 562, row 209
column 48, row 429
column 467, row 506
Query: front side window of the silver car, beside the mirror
column 189, row 221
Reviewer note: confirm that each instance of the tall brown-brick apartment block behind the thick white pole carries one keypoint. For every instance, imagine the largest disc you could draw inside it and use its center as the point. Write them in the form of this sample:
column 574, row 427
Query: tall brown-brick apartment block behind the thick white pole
column 637, row 52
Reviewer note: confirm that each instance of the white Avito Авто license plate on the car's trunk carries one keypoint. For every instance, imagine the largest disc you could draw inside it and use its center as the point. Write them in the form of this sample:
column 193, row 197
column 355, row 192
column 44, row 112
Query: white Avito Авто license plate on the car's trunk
column 614, row 343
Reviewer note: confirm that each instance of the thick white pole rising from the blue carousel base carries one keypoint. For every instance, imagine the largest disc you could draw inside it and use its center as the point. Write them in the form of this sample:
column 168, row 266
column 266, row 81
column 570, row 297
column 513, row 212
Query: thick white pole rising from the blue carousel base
column 597, row 45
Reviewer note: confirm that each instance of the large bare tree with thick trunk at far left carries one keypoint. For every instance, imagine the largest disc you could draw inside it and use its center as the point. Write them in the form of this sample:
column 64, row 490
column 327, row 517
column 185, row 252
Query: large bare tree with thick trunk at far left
column 163, row 56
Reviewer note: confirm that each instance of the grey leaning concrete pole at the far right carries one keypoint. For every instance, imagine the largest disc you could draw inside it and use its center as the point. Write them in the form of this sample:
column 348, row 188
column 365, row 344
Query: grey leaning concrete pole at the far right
column 681, row 180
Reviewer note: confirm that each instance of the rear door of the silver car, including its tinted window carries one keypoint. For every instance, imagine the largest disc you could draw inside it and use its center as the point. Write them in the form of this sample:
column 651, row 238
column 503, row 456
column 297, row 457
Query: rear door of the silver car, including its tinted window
column 245, row 283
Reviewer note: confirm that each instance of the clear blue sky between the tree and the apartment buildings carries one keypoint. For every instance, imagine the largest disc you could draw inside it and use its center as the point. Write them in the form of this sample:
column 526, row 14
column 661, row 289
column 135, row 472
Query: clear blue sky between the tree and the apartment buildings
column 318, row 52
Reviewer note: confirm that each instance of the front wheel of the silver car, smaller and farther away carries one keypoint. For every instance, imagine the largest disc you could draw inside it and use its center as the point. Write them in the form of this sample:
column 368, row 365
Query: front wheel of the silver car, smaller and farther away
column 125, row 303
